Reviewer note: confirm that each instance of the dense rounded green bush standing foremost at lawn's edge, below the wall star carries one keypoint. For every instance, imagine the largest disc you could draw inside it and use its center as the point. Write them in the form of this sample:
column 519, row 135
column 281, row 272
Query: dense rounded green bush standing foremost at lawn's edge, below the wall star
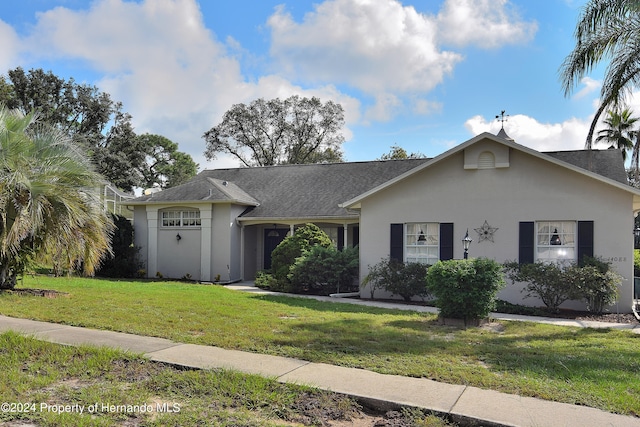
column 465, row 289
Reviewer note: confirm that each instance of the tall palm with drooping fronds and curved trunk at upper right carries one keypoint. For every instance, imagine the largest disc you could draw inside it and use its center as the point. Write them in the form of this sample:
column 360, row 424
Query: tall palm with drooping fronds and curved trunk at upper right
column 607, row 29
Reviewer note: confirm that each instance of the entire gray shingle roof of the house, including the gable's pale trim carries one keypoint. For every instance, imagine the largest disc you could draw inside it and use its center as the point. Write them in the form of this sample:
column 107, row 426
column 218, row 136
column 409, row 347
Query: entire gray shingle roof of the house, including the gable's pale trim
column 329, row 190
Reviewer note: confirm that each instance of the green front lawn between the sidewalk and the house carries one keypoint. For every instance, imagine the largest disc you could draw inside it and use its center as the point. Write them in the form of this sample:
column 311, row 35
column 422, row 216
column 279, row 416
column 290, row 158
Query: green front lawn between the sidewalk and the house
column 597, row 368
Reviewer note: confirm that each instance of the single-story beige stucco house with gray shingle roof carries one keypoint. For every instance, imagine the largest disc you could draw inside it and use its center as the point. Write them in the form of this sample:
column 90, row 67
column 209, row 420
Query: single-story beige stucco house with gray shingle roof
column 515, row 202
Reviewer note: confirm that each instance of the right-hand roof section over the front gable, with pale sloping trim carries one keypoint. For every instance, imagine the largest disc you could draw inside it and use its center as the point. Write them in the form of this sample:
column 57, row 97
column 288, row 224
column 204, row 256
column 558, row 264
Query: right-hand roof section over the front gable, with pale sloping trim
column 607, row 165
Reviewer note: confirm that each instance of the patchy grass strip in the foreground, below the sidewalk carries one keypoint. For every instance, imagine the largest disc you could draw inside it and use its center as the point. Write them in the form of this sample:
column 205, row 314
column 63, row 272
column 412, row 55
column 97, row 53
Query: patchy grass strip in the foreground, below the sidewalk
column 54, row 385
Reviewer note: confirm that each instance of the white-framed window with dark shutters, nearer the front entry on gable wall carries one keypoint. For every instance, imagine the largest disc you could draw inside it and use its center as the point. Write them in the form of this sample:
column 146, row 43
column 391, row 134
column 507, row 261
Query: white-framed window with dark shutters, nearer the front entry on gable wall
column 422, row 243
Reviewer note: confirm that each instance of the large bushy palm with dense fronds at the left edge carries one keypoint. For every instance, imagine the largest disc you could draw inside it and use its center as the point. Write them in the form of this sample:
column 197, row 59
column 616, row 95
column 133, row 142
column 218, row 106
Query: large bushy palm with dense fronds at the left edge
column 49, row 204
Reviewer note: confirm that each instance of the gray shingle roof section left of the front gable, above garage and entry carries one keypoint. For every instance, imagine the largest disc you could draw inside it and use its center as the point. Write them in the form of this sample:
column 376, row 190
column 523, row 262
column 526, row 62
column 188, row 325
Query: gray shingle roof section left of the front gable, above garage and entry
column 290, row 191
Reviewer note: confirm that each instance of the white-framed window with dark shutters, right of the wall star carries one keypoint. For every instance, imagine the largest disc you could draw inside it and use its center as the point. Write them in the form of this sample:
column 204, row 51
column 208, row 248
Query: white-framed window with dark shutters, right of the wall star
column 556, row 241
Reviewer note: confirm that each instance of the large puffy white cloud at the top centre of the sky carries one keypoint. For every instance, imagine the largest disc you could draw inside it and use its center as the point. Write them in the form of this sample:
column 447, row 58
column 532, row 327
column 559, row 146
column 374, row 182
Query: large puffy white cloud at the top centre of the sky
column 376, row 46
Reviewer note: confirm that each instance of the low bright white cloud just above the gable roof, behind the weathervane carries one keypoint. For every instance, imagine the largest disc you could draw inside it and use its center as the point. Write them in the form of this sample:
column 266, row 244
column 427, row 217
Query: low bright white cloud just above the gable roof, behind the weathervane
column 527, row 131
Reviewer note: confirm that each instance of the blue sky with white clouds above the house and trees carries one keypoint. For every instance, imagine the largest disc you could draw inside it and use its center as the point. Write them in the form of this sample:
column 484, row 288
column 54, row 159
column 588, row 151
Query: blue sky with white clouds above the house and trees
column 422, row 74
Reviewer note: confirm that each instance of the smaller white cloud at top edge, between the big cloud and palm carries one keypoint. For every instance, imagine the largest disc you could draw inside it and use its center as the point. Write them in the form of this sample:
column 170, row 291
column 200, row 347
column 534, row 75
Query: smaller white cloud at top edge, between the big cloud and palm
column 484, row 23
